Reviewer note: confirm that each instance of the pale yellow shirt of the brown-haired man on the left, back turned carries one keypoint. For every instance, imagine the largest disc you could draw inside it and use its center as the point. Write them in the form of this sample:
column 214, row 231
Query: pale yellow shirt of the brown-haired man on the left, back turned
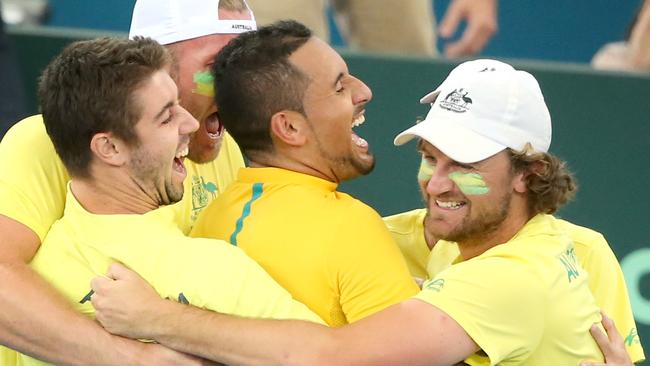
column 206, row 273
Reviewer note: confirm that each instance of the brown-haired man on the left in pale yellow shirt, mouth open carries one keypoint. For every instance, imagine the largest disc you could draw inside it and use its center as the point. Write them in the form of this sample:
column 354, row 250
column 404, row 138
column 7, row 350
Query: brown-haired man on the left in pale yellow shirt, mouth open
column 123, row 136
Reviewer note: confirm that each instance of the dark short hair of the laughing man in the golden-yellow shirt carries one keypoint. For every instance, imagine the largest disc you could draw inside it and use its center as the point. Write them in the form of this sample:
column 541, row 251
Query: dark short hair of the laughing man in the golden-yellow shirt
column 254, row 80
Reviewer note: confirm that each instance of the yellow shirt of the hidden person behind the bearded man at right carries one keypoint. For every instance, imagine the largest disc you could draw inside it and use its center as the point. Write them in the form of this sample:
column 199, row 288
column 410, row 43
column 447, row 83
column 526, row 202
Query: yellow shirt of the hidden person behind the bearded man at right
column 606, row 279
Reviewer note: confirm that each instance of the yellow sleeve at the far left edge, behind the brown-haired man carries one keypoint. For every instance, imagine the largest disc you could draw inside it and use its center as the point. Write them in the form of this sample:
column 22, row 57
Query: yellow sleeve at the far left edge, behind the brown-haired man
column 32, row 177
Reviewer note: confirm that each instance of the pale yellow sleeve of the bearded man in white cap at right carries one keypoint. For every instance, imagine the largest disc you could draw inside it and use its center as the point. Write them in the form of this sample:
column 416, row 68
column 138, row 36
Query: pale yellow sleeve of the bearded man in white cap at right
column 497, row 301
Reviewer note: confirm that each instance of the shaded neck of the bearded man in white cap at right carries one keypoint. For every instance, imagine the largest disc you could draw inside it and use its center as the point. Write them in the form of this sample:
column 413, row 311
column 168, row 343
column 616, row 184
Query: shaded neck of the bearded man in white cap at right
column 479, row 244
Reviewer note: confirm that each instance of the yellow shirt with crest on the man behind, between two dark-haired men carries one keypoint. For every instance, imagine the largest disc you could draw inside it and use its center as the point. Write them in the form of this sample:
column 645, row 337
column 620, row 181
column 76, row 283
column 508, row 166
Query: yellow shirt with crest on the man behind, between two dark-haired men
column 33, row 179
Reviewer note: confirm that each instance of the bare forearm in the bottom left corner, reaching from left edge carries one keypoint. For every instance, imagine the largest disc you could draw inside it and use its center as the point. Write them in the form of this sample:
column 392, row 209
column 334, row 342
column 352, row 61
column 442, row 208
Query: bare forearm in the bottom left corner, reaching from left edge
column 36, row 320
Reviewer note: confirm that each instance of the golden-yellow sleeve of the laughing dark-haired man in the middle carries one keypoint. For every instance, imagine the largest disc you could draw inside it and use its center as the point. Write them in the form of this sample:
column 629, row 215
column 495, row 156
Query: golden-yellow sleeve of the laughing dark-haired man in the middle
column 372, row 273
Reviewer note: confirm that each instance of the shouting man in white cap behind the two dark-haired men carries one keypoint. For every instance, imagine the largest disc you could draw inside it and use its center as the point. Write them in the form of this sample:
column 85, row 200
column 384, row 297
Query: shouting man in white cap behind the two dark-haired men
column 34, row 318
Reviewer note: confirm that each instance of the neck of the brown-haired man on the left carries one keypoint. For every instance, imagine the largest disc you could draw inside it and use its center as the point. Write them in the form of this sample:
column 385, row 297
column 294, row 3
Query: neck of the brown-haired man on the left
column 111, row 194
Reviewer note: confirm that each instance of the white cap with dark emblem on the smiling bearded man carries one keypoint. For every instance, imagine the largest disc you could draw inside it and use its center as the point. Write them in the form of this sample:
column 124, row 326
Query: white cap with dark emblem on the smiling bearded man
column 480, row 111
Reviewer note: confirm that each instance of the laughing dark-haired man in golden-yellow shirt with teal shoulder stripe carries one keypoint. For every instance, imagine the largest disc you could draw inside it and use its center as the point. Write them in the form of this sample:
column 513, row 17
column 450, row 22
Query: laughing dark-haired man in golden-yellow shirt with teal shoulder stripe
column 289, row 101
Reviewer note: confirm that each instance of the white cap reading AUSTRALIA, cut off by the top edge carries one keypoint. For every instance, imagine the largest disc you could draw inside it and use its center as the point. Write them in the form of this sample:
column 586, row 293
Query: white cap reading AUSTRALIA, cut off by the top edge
column 169, row 21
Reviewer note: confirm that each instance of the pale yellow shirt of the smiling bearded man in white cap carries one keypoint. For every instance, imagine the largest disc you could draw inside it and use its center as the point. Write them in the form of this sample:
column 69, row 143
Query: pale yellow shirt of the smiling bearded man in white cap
column 524, row 302
